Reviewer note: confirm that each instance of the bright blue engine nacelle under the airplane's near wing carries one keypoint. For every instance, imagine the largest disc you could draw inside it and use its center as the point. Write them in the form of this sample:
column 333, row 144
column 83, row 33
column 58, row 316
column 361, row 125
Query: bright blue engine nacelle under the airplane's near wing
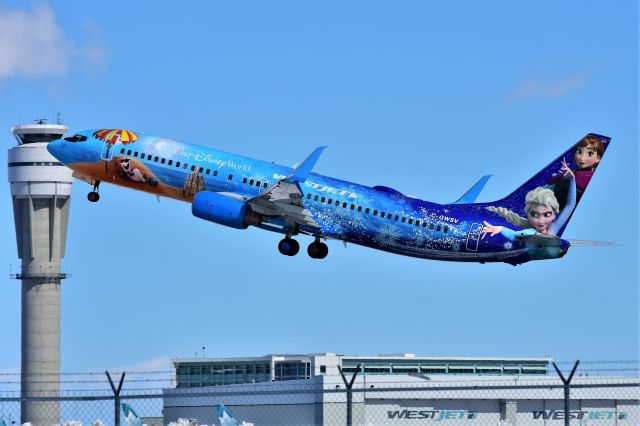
column 224, row 210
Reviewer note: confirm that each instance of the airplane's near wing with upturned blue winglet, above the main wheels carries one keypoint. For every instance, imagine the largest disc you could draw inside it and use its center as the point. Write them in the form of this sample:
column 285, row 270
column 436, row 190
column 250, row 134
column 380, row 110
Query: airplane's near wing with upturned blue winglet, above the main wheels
column 284, row 198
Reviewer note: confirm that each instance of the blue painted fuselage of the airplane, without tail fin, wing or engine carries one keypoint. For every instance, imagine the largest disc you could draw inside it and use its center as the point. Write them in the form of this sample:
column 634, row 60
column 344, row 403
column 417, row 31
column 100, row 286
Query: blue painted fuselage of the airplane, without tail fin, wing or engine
column 378, row 217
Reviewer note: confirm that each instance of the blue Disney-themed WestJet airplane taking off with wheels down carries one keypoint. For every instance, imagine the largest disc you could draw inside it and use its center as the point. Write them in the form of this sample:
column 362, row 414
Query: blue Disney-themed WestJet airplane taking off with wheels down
column 238, row 192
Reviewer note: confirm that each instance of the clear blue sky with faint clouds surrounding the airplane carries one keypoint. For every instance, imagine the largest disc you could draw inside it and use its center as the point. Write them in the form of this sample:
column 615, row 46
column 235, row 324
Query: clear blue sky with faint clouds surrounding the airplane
column 424, row 97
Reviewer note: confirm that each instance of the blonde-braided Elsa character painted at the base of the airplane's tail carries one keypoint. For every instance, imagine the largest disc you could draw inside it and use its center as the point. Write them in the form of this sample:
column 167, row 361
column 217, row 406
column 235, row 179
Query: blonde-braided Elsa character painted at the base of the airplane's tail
column 544, row 216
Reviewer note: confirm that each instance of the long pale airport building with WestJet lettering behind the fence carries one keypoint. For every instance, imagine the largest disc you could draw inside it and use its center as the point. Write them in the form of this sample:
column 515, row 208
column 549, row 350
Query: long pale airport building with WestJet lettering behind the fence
column 393, row 389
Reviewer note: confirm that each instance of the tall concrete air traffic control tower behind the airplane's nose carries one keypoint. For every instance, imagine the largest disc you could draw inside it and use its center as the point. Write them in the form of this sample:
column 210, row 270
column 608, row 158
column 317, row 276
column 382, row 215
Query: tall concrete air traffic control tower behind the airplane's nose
column 41, row 194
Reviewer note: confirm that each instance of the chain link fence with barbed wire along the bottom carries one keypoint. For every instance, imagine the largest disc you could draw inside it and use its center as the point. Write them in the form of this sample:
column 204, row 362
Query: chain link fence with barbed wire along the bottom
column 412, row 399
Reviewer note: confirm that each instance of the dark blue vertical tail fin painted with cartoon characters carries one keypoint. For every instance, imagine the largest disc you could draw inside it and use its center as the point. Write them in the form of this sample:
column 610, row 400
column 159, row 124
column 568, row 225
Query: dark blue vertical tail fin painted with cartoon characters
column 559, row 186
